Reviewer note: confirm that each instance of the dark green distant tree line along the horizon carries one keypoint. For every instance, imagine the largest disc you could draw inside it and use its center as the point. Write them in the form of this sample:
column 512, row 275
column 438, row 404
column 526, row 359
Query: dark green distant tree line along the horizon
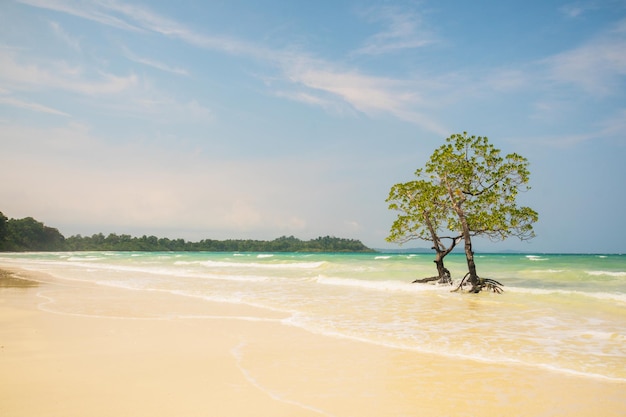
column 28, row 234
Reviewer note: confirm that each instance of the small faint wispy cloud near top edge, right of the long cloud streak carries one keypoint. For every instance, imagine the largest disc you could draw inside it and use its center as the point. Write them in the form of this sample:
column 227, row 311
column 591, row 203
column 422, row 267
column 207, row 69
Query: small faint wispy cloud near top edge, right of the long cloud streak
column 403, row 30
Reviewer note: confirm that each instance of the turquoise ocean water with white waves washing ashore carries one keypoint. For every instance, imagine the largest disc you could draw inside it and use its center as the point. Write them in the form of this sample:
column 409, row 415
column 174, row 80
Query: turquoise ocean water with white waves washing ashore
column 565, row 313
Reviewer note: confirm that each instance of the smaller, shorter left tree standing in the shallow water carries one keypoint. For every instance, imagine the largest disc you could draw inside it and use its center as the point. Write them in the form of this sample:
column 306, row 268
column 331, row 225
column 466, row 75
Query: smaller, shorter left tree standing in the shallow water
column 424, row 211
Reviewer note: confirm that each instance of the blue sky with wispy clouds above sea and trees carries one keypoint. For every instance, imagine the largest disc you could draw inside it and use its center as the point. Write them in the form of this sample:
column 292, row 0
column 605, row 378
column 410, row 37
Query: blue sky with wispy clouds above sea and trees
column 257, row 119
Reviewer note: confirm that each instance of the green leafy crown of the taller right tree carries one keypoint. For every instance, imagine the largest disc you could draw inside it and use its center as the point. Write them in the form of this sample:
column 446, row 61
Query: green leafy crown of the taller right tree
column 482, row 187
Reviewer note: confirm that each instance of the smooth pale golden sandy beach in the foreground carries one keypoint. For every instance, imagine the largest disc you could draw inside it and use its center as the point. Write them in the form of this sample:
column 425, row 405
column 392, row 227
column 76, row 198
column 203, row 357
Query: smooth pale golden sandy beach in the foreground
column 80, row 349
